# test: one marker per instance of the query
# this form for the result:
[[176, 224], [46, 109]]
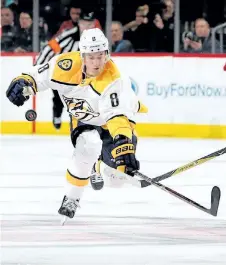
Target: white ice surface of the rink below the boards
[[114, 226]]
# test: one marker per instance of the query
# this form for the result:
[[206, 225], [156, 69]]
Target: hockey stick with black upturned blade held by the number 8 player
[[215, 195]]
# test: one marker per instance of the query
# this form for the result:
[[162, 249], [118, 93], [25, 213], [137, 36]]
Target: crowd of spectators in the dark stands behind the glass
[[152, 30]]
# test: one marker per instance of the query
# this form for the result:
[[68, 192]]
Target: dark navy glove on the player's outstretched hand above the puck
[[15, 91]]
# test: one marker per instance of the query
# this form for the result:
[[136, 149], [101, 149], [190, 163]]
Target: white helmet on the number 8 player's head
[[93, 40]]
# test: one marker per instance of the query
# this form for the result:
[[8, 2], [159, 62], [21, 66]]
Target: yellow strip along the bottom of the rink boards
[[143, 130]]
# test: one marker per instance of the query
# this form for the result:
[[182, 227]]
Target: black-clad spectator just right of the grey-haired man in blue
[[137, 31]]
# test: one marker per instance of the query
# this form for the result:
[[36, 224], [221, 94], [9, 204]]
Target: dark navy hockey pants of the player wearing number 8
[[107, 141]]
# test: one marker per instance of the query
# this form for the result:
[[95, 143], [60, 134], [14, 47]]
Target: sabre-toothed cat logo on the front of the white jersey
[[80, 109]]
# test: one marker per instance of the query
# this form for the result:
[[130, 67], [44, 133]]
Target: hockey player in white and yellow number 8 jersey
[[101, 105]]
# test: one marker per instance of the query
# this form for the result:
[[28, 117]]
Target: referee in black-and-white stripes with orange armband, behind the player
[[67, 41]]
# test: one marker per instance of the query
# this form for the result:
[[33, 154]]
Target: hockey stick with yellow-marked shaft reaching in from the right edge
[[181, 169]]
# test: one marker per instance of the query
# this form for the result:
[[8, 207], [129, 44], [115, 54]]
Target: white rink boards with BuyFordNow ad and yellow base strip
[[185, 96]]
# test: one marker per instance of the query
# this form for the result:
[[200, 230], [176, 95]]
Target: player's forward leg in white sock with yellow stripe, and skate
[[87, 143]]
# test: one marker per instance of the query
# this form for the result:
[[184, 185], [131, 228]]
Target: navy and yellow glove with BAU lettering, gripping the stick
[[124, 155]]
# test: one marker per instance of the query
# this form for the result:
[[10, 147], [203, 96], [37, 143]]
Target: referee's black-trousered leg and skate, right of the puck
[[57, 109]]
